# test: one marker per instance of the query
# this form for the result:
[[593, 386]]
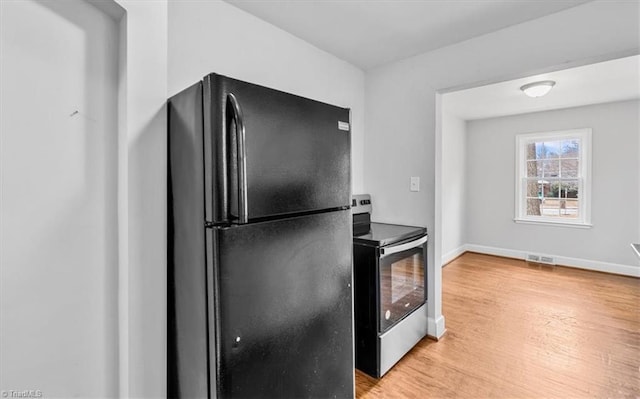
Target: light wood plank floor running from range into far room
[[516, 330]]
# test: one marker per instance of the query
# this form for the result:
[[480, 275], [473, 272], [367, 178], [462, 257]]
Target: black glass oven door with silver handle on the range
[[402, 280]]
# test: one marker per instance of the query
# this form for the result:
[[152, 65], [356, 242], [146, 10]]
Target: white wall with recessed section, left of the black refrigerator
[[84, 293]]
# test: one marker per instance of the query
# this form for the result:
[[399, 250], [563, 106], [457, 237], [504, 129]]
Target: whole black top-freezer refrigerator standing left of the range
[[259, 244]]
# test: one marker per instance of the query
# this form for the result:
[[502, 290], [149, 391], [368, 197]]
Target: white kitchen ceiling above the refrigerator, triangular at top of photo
[[368, 33]]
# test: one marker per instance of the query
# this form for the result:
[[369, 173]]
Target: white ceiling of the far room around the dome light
[[615, 80]]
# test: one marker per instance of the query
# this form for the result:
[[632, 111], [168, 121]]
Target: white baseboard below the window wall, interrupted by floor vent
[[625, 270]]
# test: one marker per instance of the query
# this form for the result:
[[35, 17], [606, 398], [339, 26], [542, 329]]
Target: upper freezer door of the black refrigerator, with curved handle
[[269, 153]]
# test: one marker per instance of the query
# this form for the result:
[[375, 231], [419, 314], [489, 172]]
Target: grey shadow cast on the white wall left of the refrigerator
[[148, 258]]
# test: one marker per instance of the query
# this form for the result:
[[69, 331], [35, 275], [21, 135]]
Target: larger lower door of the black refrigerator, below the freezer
[[282, 305]]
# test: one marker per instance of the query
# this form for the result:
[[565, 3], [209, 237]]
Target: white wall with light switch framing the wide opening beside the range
[[400, 99]]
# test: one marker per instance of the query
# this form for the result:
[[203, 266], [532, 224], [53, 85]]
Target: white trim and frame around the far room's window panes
[[585, 173]]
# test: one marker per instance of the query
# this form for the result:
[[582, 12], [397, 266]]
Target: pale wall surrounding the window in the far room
[[615, 178]]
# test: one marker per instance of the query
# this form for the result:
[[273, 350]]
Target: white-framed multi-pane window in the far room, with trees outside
[[553, 177]]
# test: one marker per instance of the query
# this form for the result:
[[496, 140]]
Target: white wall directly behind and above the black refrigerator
[[214, 36]]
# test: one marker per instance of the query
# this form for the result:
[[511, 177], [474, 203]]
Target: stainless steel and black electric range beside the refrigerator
[[390, 289]]
